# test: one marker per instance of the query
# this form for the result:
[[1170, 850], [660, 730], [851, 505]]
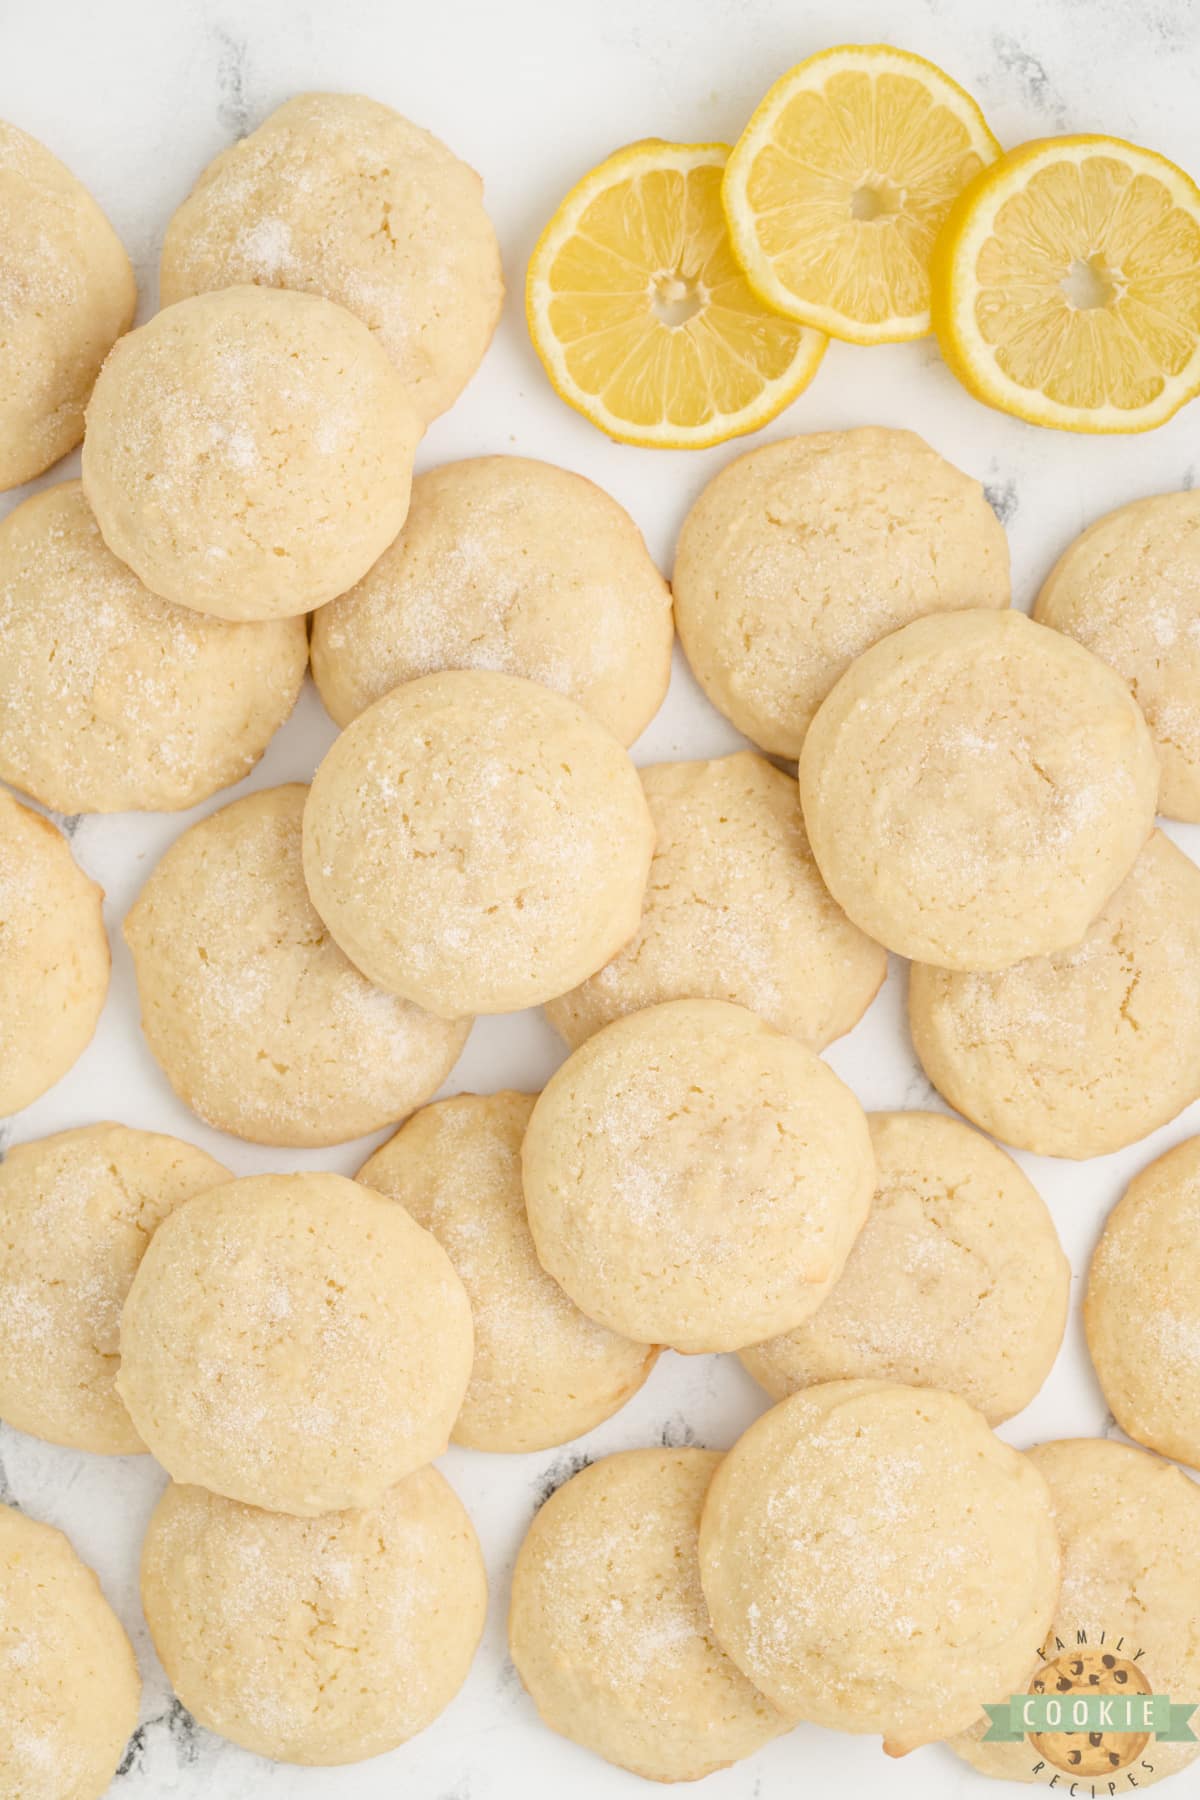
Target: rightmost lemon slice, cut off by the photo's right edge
[[1068, 285]]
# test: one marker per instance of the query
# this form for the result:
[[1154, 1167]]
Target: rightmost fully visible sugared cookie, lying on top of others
[[976, 787]]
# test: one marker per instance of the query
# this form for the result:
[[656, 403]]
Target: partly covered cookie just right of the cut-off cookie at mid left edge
[[256, 1018]]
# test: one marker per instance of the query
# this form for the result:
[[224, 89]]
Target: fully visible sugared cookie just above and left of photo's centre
[[478, 843]]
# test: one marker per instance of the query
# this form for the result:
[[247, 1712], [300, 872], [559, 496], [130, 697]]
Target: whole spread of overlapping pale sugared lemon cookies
[[978, 795]]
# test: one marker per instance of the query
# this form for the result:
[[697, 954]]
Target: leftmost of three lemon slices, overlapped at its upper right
[[641, 316]]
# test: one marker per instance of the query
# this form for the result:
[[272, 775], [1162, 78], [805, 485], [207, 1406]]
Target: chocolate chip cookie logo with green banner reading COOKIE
[[1091, 1714]]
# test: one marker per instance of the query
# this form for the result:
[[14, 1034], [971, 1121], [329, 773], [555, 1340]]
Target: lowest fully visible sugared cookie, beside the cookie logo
[[877, 1561]]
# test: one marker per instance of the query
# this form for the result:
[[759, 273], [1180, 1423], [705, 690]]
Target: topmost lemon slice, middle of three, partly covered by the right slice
[[841, 183]]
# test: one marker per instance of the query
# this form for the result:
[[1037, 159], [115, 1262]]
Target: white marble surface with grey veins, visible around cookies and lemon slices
[[136, 96]]
